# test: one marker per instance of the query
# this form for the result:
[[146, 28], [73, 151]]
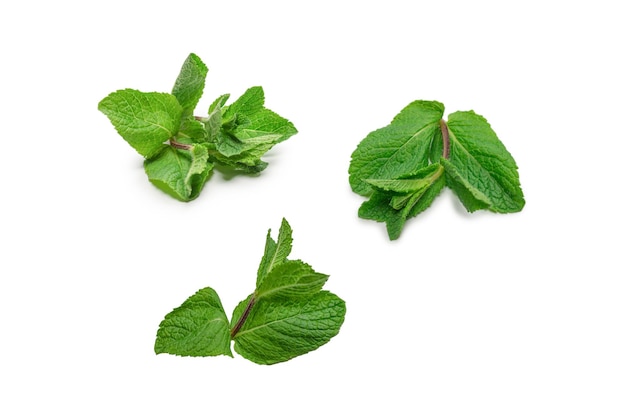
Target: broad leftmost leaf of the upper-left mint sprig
[[144, 120]]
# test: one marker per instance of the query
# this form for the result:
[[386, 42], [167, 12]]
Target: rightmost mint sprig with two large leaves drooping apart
[[403, 166]]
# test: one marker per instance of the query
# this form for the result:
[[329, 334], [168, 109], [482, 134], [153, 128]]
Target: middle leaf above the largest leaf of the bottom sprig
[[291, 279]]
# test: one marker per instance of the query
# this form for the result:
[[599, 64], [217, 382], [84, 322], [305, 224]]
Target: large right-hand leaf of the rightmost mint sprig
[[484, 171]]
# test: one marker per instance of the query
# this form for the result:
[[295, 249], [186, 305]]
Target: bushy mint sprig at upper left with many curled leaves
[[181, 149]]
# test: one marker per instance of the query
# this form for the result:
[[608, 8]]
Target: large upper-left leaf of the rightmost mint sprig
[[401, 147]]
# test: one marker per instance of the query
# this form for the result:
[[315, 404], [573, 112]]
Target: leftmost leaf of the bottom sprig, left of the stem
[[199, 327]]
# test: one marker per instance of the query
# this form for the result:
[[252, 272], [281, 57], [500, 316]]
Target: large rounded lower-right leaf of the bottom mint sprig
[[277, 330]]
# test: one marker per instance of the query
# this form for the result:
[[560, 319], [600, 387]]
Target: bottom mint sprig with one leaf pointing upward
[[287, 315]]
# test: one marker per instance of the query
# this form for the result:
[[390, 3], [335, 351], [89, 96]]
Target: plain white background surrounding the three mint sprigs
[[479, 315]]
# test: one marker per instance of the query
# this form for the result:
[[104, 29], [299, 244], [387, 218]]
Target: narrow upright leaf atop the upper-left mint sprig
[[189, 85]]
